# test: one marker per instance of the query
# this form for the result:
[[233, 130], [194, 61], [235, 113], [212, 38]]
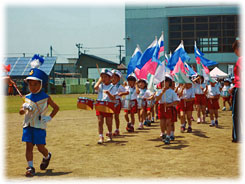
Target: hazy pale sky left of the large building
[[33, 29]]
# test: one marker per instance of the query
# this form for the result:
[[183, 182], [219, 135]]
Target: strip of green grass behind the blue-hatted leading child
[[65, 102]]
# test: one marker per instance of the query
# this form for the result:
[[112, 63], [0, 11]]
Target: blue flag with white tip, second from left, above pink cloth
[[147, 55]]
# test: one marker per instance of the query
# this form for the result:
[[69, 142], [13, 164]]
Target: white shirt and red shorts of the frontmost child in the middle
[[168, 97]]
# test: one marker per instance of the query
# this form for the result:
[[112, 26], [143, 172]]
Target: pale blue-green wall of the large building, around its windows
[[143, 23]]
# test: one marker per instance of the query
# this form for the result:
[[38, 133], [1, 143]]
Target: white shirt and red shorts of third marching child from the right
[[200, 97]]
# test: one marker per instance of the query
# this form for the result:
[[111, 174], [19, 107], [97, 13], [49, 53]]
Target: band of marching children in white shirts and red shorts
[[169, 101]]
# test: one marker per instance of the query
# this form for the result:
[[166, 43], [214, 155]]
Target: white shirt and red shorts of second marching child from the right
[[213, 91]]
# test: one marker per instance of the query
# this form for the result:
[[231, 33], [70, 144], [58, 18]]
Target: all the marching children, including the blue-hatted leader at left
[[168, 101]]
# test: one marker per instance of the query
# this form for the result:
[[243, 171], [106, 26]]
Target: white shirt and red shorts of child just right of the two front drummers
[[130, 101]]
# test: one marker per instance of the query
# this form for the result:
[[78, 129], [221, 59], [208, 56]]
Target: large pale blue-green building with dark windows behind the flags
[[214, 28]]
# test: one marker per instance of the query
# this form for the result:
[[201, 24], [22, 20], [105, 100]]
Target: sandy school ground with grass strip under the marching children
[[72, 136]]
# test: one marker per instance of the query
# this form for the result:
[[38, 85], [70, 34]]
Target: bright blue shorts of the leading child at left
[[34, 135]]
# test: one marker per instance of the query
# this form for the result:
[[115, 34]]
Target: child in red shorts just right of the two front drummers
[[130, 104]]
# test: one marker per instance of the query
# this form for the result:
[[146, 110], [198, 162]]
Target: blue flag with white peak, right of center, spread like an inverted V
[[178, 53]]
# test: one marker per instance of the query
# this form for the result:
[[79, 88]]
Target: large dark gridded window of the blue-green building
[[212, 33]]
